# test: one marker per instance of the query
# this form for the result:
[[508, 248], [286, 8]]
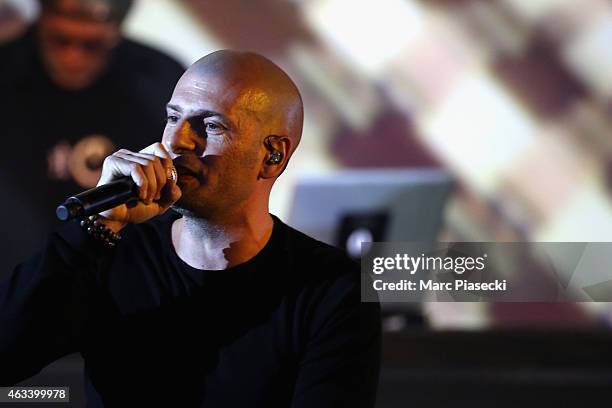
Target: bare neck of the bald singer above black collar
[[208, 245]]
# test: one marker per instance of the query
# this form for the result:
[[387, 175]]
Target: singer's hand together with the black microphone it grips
[[133, 187]]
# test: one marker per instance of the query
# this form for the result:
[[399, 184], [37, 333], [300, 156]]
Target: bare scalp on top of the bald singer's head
[[271, 95]]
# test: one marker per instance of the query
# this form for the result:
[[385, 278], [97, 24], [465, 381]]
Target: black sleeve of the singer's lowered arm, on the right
[[341, 363]]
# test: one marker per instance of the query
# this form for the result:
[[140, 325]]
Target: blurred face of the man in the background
[[75, 51]]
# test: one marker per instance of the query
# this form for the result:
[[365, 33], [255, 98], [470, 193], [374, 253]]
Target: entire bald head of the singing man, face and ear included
[[234, 120]]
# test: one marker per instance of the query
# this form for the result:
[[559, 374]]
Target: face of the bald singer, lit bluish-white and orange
[[215, 135]]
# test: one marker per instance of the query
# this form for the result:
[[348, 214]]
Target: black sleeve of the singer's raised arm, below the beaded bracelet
[[46, 301]]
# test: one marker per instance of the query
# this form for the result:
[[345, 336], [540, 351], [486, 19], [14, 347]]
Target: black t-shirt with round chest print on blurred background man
[[54, 140]]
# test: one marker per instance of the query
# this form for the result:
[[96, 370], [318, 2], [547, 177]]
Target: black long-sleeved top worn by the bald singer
[[285, 328]]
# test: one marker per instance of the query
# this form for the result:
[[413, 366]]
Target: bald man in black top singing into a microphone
[[206, 300]]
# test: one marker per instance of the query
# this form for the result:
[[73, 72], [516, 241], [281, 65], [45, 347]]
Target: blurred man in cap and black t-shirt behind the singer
[[72, 90]]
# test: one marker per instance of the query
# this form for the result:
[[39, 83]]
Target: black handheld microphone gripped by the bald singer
[[121, 191]]
